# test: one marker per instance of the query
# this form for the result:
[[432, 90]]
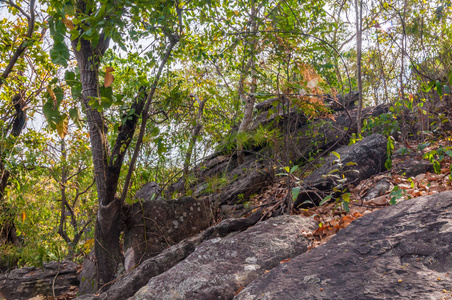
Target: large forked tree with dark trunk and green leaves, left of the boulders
[[92, 26]]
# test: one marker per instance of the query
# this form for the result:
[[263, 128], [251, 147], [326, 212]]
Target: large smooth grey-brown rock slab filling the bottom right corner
[[400, 252]]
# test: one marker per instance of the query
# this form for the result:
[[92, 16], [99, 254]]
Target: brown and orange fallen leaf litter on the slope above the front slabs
[[332, 218]]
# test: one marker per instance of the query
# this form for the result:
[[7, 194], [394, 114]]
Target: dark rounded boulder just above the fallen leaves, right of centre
[[359, 161]]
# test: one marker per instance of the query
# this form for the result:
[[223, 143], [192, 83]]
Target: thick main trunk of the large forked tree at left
[[107, 249]]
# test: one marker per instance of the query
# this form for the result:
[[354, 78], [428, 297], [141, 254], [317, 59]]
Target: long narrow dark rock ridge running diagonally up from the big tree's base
[[127, 285]]
